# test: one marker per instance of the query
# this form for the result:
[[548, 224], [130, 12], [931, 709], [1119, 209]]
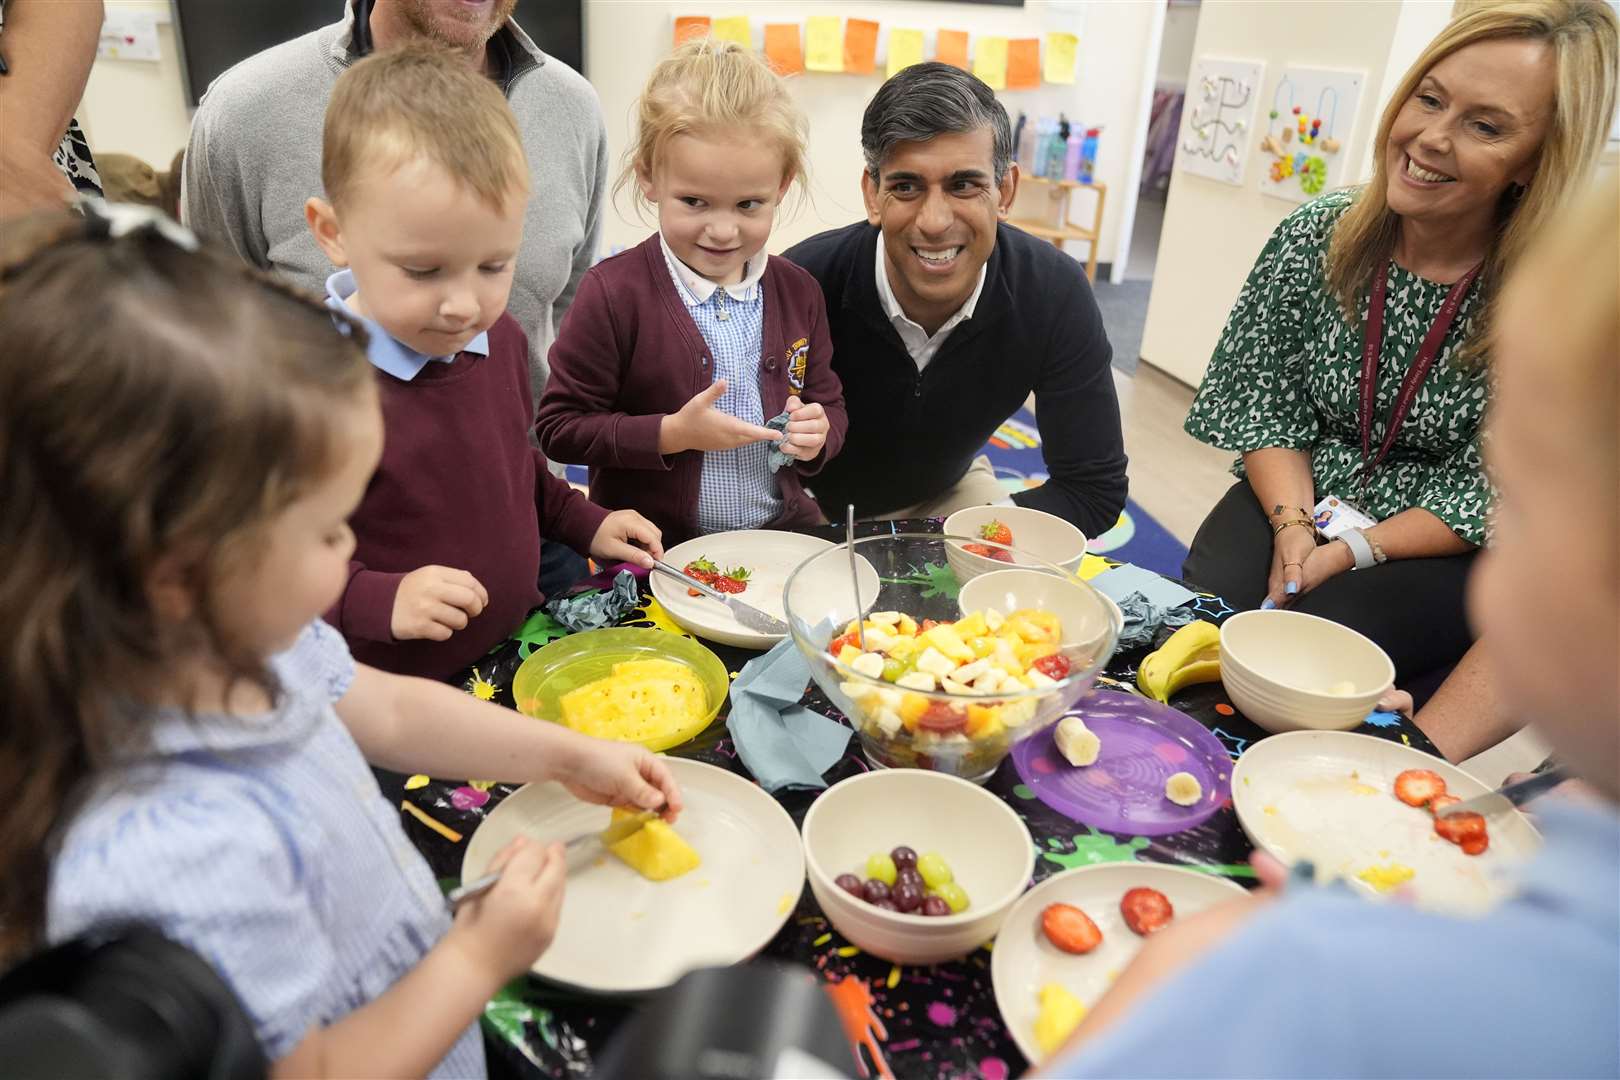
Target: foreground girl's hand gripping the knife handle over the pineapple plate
[[509, 927]]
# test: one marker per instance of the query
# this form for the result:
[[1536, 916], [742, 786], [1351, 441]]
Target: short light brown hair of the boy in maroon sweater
[[422, 101]]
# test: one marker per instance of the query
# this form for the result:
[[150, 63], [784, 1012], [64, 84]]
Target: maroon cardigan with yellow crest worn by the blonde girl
[[629, 354]]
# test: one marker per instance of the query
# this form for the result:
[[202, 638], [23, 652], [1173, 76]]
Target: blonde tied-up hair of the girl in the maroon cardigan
[[710, 87]]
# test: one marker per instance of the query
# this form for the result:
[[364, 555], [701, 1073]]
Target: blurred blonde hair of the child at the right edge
[[1574, 271]]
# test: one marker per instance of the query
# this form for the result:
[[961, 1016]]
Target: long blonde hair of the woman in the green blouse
[[1584, 40]]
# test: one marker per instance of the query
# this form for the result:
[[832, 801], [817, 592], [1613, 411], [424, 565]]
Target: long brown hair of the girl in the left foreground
[[156, 404]]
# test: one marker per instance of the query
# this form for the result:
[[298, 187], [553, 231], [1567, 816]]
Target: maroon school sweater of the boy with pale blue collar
[[459, 487]]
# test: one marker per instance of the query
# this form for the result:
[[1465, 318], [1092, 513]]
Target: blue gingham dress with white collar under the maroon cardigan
[[738, 490]]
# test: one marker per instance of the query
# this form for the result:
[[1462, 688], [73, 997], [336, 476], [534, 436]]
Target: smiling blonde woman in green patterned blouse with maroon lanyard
[[1490, 134]]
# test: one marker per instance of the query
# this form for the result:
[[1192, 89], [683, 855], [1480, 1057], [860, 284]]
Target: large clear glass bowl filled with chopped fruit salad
[[952, 676]]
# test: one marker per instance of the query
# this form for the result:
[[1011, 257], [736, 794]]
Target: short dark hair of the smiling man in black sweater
[[932, 100]]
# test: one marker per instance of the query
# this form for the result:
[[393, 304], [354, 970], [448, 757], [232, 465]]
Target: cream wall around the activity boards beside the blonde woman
[[1213, 231]]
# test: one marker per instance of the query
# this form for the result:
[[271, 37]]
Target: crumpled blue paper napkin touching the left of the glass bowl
[[782, 742]]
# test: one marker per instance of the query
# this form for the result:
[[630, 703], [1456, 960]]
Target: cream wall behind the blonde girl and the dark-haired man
[[625, 38]]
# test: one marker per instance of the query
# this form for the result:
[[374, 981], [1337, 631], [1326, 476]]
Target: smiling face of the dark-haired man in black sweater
[[939, 203]]
